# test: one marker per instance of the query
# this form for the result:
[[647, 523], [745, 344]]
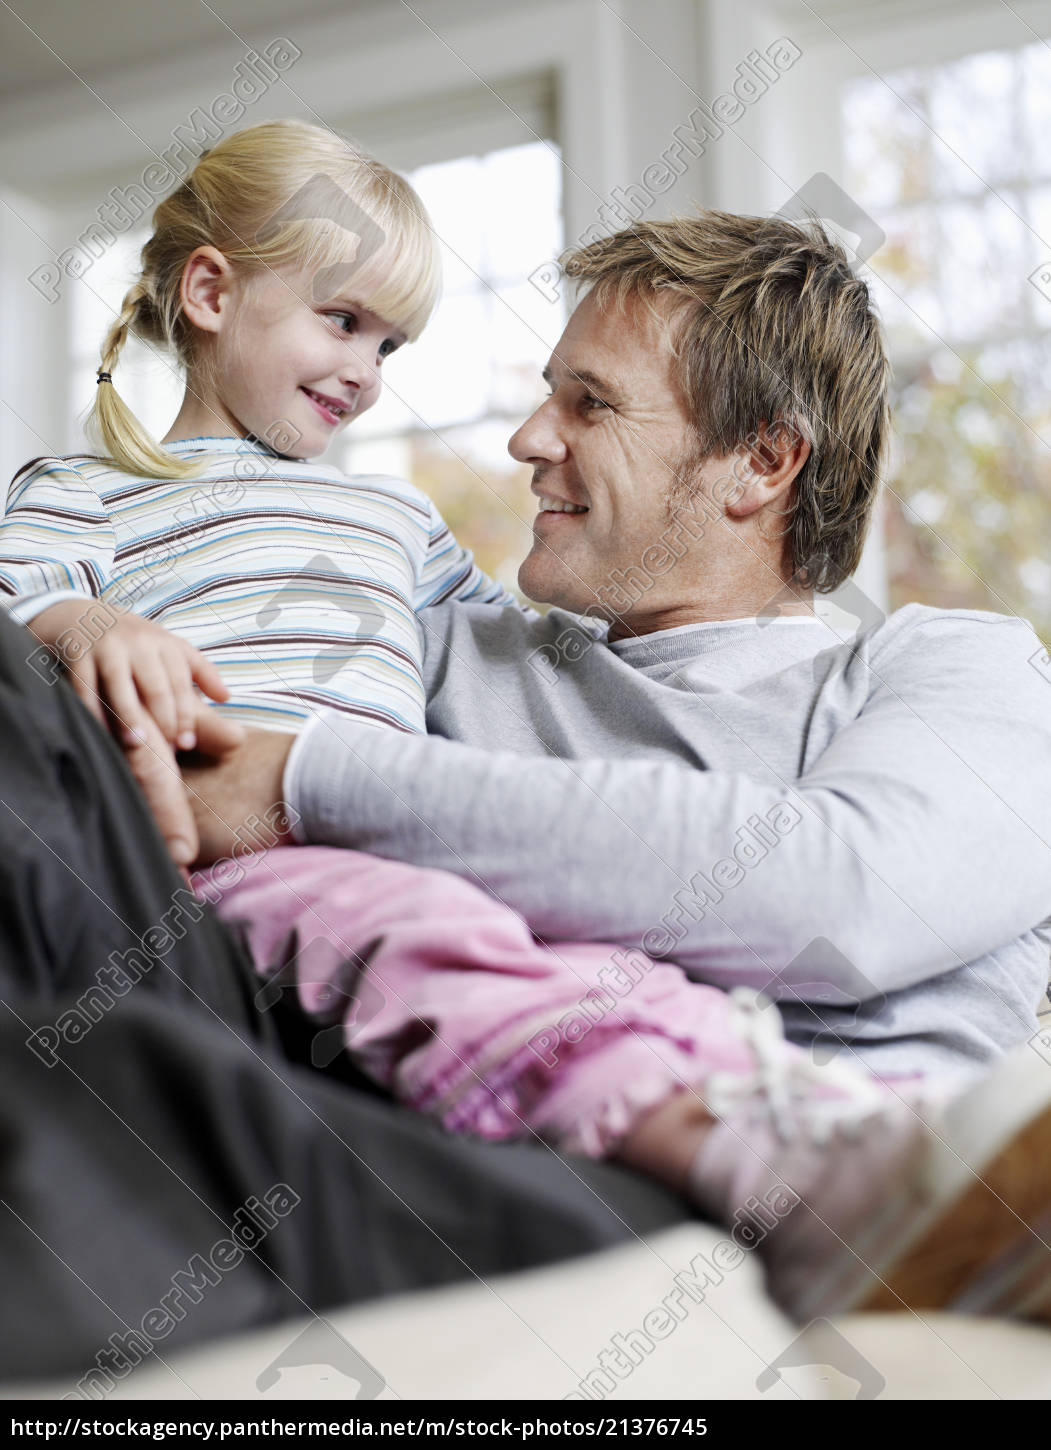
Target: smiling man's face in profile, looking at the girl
[[614, 442]]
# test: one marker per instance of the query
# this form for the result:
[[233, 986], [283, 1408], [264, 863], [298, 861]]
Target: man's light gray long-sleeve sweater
[[860, 829]]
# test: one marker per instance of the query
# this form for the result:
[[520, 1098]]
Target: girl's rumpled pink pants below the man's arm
[[446, 998]]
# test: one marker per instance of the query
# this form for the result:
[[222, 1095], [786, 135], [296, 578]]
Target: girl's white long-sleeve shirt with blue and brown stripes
[[298, 582]]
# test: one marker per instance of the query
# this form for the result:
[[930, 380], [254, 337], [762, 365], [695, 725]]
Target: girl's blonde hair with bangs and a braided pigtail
[[281, 195]]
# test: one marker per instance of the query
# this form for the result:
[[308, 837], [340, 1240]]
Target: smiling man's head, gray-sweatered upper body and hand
[[859, 829]]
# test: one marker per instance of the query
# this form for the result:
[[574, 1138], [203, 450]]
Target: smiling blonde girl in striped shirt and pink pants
[[282, 275]]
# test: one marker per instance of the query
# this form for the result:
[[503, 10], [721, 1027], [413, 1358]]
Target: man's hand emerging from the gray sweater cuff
[[237, 797]]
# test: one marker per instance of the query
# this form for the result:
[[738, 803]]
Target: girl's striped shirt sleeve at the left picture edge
[[56, 540]]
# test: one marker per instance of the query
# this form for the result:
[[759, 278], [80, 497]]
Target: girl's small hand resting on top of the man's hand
[[130, 671]]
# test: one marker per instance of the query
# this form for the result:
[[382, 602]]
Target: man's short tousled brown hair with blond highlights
[[770, 327]]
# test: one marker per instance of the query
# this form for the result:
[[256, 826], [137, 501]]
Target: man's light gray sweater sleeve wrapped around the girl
[[915, 842]]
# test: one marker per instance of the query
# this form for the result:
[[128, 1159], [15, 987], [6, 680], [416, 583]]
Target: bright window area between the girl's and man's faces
[[453, 399]]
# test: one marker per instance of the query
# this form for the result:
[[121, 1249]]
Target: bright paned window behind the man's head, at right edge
[[956, 169]]
